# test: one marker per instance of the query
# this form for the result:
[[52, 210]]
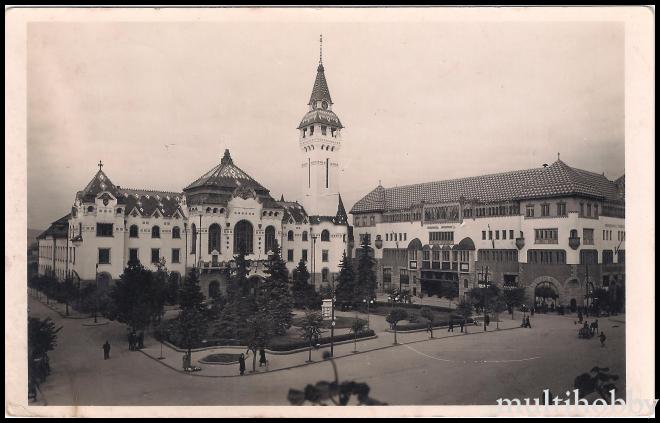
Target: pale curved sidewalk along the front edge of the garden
[[173, 359]]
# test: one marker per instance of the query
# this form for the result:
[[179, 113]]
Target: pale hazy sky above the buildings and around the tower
[[159, 103]]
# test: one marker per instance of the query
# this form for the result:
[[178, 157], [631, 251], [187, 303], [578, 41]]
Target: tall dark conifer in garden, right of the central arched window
[[274, 299]]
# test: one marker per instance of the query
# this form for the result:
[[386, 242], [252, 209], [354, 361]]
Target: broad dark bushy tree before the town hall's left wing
[[132, 297]]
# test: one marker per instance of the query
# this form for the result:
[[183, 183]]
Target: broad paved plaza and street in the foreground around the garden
[[512, 362]]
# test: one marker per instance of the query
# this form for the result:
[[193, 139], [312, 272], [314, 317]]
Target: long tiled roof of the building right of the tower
[[556, 180]]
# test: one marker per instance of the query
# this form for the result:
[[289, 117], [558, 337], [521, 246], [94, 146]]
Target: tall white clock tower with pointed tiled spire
[[320, 144]]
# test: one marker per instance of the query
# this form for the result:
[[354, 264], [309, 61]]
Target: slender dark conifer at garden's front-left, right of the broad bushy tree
[[191, 324]]
